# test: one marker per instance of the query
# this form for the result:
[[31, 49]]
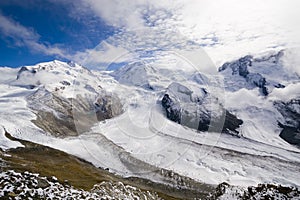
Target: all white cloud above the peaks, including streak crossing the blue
[[147, 30]]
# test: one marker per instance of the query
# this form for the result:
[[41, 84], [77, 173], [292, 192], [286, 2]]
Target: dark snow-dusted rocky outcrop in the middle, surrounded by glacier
[[183, 107]]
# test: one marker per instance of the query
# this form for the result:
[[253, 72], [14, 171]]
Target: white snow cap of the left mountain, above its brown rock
[[65, 79]]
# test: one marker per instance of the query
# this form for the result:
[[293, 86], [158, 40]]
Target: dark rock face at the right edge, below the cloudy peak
[[291, 126]]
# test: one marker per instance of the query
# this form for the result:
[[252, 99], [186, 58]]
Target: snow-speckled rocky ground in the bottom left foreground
[[28, 185]]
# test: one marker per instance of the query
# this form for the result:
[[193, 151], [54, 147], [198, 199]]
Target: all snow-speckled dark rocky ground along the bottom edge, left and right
[[28, 185]]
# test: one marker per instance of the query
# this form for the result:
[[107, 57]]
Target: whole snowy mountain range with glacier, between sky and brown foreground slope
[[240, 126]]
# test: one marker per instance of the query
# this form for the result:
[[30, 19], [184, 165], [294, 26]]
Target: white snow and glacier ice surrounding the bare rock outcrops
[[142, 139]]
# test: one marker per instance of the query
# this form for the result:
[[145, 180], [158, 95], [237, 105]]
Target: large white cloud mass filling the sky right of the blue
[[224, 29]]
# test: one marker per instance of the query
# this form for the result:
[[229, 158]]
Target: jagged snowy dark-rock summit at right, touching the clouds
[[266, 73]]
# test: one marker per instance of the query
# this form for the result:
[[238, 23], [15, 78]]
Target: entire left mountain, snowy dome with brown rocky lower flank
[[60, 93]]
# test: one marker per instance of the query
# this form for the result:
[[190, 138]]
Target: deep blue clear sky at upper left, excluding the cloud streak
[[53, 25]]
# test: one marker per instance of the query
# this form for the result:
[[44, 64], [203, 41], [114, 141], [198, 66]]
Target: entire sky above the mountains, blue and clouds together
[[110, 33]]
